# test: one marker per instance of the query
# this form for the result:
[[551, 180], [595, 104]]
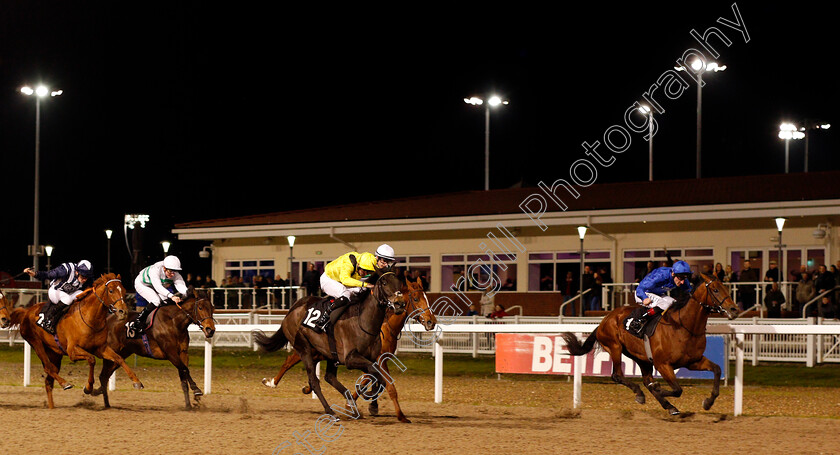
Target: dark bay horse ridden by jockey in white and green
[[167, 339]]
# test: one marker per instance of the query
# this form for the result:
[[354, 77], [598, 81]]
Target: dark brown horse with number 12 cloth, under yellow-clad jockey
[[356, 334]]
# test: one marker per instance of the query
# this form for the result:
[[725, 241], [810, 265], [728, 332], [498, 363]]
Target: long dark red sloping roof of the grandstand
[[624, 195]]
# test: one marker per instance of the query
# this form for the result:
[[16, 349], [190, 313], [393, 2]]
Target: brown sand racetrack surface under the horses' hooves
[[241, 416]]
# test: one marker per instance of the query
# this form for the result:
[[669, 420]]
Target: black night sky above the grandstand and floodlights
[[187, 111]]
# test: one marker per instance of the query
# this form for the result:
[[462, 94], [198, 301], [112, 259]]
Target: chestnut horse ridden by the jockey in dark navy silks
[[80, 334]]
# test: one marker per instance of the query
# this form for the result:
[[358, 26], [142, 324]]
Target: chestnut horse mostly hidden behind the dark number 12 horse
[[417, 308]]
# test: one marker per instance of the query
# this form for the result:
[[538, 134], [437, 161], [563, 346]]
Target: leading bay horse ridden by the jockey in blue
[[679, 341]]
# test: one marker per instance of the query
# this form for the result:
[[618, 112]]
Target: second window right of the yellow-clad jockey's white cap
[[484, 273]]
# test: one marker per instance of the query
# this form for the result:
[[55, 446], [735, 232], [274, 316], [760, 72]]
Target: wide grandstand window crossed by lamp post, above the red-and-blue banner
[[560, 271]]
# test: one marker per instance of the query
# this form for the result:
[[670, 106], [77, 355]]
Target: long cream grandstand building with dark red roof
[[523, 237]]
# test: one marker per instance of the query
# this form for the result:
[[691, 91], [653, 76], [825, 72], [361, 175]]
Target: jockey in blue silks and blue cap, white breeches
[[652, 291]]
